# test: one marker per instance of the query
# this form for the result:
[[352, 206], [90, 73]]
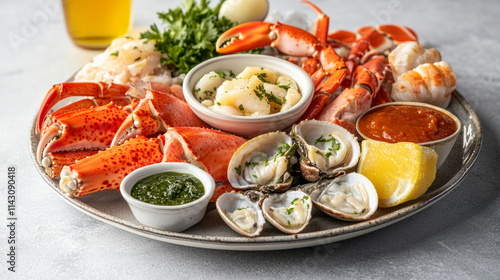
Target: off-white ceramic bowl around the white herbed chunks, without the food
[[244, 125]]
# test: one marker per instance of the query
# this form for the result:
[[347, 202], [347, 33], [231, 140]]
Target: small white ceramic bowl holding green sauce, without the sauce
[[176, 217]]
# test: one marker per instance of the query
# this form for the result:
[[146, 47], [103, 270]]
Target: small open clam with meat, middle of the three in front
[[289, 212]]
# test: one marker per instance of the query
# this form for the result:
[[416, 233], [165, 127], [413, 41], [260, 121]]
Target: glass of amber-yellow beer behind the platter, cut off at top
[[93, 24]]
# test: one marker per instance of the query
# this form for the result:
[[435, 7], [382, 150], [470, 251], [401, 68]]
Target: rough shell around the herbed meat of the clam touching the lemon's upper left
[[312, 129]]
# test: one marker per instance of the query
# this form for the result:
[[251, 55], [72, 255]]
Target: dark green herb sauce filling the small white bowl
[[168, 188]]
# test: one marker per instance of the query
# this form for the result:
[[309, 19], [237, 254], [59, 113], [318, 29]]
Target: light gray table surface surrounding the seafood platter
[[456, 238]]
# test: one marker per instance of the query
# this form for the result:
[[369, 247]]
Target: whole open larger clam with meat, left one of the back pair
[[263, 163]]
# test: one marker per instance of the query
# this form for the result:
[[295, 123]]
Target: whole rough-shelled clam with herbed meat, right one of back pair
[[326, 149]]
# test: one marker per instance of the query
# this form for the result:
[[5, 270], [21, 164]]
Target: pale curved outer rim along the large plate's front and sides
[[282, 241]]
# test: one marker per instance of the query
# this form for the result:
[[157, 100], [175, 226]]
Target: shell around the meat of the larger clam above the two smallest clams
[[266, 144]]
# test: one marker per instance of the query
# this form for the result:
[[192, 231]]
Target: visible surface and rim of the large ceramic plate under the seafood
[[108, 206]]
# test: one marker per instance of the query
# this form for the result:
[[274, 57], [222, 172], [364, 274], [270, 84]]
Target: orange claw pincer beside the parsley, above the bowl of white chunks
[[245, 37]]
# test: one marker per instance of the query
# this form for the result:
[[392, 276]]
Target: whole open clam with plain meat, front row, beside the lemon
[[350, 198]]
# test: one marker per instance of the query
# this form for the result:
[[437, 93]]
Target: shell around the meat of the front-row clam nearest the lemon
[[349, 179]]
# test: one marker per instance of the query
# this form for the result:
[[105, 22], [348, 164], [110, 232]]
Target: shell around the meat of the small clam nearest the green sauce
[[230, 202]]
